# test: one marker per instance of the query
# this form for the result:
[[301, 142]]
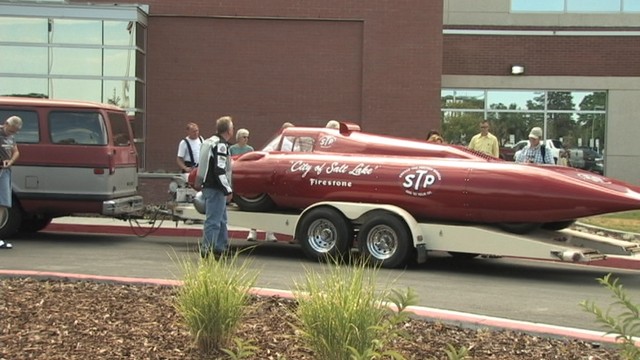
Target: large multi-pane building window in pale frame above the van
[[93, 53]]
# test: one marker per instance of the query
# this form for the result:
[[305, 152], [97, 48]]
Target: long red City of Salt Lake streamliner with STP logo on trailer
[[433, 182]]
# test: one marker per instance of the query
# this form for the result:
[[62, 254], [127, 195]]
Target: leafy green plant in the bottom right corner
[[625, 323]]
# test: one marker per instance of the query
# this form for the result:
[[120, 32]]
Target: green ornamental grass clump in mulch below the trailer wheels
[[341, 313]]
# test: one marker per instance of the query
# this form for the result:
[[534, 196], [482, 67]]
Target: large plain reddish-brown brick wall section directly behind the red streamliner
[[376, 63]]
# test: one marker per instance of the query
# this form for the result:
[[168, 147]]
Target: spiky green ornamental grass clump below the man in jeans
[[213, 299]]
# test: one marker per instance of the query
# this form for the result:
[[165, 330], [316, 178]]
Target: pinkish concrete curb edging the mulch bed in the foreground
[[446, 316]]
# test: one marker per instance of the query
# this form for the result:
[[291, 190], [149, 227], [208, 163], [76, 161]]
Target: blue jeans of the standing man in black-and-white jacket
[[214, 234]]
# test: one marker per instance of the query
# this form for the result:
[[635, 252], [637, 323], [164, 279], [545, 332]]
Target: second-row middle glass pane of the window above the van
[[73, 61]]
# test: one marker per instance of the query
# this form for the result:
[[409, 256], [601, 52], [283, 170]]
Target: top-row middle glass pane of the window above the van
[[64, 31]]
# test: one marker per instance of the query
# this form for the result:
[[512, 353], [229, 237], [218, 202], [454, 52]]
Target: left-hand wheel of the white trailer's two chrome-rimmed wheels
[[324, 234]]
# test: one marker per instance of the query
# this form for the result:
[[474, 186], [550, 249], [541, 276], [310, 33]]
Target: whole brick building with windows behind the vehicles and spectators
[[394, 67]]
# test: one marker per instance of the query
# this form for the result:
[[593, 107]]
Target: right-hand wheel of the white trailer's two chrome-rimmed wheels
[[385, 240]]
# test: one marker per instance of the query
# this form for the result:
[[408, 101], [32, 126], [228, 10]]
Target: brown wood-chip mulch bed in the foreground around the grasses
[[57, 319]]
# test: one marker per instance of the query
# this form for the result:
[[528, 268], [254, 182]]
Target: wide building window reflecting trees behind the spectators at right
[[576, 118]]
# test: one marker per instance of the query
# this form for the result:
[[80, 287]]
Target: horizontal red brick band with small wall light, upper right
[[542, 55]]
